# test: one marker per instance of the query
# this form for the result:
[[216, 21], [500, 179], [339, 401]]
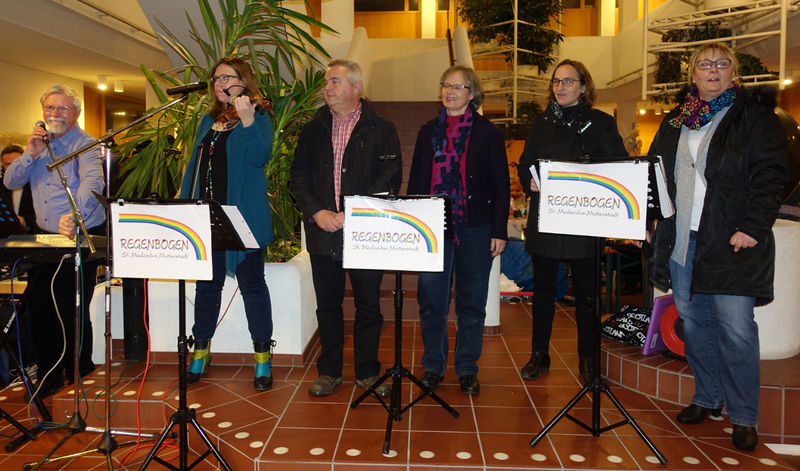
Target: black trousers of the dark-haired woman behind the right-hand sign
[[545, 278]]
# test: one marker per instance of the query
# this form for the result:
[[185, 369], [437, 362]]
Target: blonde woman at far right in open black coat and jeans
[[725, 160]]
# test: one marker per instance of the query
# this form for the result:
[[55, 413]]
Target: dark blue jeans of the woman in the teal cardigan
[[255, 294]]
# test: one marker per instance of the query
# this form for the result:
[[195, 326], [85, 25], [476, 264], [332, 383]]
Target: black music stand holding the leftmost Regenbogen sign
[[224, 237]]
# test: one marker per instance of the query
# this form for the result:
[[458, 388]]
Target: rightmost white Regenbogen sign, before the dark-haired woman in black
[[594, 199]]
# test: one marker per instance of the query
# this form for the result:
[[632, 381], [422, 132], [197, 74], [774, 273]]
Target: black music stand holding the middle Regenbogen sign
[[397, 371]]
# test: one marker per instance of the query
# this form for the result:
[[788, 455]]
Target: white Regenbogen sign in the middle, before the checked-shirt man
[[403, 234]]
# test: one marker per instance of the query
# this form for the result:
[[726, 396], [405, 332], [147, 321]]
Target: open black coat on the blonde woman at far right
[[745, 173]]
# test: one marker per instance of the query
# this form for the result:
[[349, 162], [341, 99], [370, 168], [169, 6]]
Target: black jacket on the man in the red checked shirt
[[371, 164]]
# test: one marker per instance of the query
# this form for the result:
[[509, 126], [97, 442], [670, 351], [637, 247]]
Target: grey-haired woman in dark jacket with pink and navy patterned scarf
[[462, 155]]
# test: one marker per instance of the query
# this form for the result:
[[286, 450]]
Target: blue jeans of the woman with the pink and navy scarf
[[469, 261]]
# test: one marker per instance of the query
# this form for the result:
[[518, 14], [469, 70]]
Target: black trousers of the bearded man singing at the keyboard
[[48, 338]]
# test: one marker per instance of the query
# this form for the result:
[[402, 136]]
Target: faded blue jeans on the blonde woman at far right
[[721, 345]]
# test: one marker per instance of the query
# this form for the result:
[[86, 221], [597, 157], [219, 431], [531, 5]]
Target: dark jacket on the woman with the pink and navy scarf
[[488, 193]]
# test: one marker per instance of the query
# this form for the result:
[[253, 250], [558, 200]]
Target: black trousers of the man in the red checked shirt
[[328, 276]]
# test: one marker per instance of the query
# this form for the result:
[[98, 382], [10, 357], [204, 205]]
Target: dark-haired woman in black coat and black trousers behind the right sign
[[569, 129]]
